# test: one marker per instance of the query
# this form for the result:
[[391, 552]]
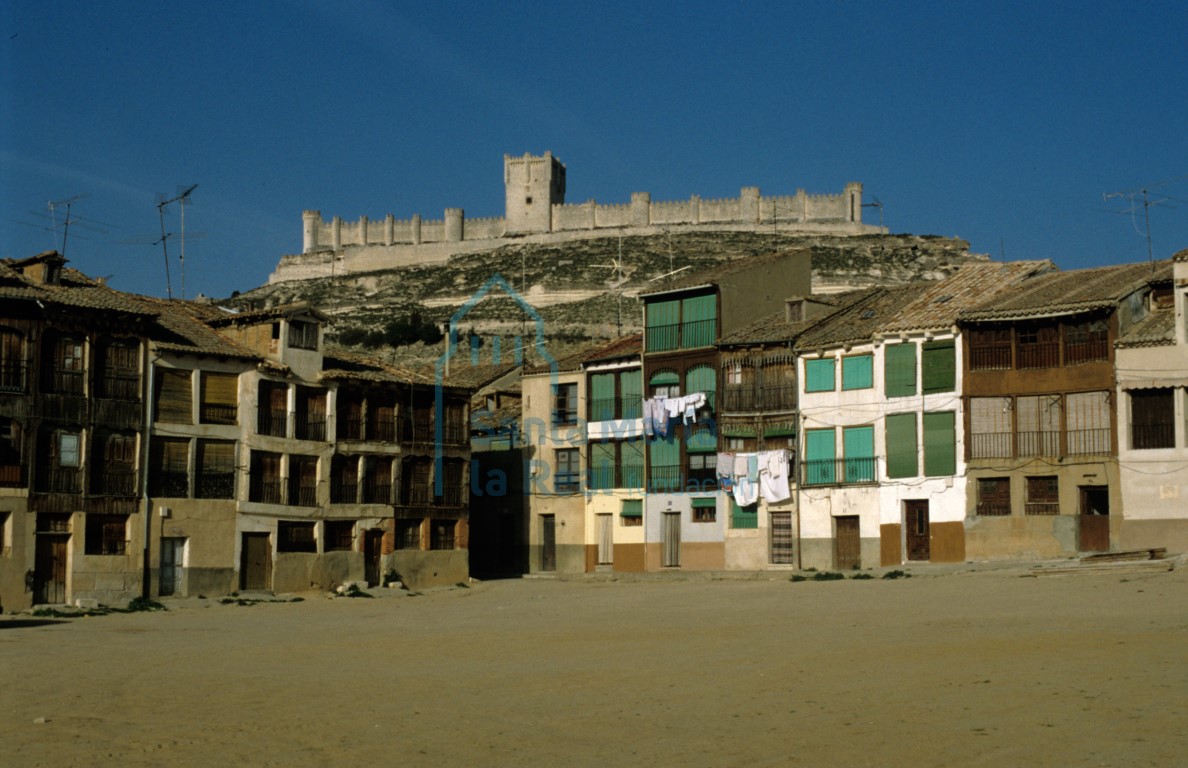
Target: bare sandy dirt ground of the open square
[[951, 668]]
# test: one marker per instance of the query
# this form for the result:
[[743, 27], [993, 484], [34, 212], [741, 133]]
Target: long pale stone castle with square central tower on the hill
[[536, 212]]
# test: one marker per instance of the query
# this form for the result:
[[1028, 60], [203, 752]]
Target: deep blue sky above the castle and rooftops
[[1003, 124]]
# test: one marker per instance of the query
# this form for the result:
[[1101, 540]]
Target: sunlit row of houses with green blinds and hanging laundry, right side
[[1010, 411]]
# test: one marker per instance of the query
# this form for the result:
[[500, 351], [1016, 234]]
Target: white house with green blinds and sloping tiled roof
[[882, 471]]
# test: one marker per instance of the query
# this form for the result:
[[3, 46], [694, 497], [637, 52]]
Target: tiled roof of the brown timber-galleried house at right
[[1057, 294]]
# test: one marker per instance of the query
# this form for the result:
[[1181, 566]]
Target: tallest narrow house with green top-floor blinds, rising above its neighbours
[[686, 517]]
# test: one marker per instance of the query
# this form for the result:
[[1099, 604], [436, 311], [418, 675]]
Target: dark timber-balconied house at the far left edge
[[73, 357]]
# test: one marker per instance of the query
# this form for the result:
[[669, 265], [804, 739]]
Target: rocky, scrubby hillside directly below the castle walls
[[574, 285]]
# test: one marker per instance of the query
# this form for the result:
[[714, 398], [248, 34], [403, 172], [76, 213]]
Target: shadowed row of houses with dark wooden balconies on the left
[[154, 448]]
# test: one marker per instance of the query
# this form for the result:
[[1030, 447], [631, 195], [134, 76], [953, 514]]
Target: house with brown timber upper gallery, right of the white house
[[1042, 410]]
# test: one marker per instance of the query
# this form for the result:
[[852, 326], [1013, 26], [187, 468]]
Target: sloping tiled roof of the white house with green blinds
[[938, 305]]
